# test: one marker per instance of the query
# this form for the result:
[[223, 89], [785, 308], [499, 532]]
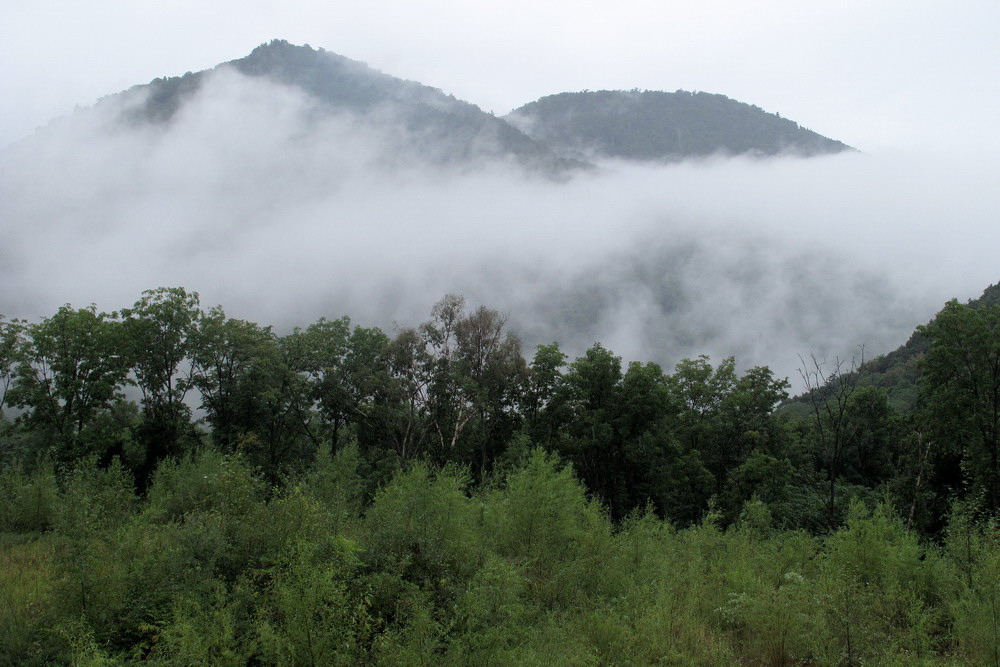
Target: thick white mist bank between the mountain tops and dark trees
[[283, 212]]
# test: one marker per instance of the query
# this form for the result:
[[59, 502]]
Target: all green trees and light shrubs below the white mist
[[184, 487]]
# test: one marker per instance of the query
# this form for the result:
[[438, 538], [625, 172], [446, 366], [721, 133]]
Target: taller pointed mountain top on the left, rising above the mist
[[440, 127]]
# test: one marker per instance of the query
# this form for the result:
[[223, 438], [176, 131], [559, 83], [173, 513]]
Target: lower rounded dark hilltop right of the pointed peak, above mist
[[653, 125]]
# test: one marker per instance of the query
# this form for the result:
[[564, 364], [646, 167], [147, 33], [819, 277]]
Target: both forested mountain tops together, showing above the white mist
[[555, 134]]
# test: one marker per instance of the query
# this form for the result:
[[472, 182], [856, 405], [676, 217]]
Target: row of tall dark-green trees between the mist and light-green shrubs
[[164, 378]]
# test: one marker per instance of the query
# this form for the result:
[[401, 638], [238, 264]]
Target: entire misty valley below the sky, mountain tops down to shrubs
[[619, 377]]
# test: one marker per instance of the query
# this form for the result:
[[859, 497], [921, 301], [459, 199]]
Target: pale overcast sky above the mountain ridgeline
[[877, 75]]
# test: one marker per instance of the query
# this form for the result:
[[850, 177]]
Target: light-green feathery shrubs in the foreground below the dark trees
[[213, 567]]
